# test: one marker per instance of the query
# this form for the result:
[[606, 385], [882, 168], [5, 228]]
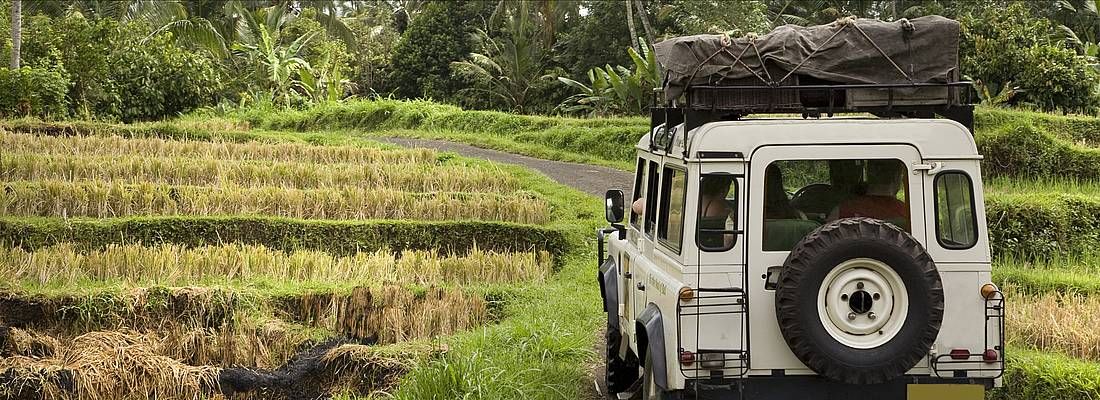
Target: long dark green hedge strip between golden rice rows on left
[[333, 237]]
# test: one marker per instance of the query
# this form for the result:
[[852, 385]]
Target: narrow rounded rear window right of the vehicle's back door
[[956, 223]]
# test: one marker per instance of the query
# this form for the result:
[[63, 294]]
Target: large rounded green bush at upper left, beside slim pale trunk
[[116, 73]]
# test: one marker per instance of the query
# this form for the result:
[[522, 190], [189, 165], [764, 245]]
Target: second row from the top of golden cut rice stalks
[[190, 172]]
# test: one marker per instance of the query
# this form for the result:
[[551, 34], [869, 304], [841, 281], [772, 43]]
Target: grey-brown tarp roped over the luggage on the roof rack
[[926, 49]]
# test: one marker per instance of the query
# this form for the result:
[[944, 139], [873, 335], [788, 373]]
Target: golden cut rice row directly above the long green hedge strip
[[54, 198]]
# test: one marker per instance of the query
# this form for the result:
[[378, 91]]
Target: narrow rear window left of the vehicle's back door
[[717, 226]]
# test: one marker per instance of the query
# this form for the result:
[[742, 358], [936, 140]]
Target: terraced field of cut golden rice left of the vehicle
[[139, 268]]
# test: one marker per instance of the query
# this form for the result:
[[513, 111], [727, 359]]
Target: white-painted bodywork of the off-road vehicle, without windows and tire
[[751, 146]]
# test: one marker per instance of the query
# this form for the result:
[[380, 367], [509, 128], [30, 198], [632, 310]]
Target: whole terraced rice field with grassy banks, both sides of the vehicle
[[210, 251]]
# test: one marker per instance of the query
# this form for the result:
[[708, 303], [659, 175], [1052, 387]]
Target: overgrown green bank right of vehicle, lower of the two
[[1039, 226]]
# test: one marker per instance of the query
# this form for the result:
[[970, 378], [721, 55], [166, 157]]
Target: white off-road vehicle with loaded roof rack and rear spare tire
[[810, 258]]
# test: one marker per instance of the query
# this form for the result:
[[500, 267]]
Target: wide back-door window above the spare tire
[[799, 196]]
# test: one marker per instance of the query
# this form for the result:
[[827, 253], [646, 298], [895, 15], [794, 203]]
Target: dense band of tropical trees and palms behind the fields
[[128, 60]]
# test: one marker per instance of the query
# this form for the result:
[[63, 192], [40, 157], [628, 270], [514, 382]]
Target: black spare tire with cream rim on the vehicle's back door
[[860, 302]]
